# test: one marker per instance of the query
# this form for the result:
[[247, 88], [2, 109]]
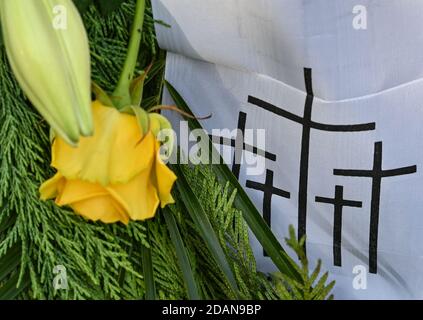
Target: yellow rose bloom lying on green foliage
[[115, 175]]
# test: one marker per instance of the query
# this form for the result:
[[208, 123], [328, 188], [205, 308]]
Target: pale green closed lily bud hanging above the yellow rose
[[48, 51]]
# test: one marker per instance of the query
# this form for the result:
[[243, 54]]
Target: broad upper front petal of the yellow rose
[[114, 154]]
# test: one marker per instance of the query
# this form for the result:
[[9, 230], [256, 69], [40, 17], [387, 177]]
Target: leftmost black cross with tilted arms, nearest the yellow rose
[[239, 145]]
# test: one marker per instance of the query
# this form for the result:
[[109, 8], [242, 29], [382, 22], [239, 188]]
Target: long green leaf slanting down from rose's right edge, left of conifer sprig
[[201, 220]]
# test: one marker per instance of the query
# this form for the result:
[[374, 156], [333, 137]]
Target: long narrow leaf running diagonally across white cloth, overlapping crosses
[[253, 218]]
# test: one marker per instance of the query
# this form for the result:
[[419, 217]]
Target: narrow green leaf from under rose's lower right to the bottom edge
[[182, 254]]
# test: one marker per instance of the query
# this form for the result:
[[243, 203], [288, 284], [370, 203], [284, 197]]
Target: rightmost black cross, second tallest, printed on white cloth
[[376, 174]]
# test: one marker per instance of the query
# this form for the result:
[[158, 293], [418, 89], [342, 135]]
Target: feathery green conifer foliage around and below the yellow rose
[[106, 261]]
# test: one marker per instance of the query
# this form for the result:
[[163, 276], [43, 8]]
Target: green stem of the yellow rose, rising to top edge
[[121, 96]]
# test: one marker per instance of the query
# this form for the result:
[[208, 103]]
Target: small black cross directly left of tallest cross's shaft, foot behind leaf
[[268, 191]]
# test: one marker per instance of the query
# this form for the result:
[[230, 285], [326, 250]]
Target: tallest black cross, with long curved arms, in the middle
[[307, 124]]
